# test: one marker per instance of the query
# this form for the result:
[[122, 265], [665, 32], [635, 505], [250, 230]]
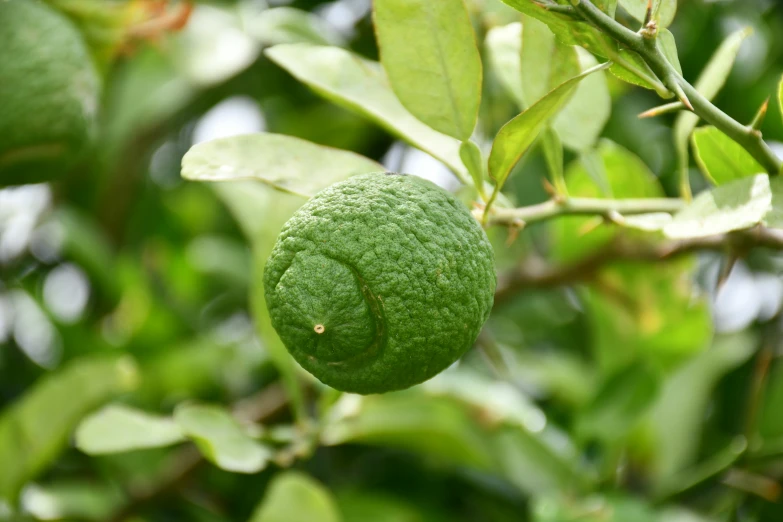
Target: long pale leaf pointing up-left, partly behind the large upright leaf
[[361, 86]]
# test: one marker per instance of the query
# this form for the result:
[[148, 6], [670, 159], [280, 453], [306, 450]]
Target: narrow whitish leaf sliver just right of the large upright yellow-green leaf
[[504, 44]]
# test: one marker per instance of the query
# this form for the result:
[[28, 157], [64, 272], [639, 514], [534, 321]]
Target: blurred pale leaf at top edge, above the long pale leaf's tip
[[285, 25]]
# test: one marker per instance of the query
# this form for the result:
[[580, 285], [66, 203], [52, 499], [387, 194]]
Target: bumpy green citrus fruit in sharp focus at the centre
[[397, 273]]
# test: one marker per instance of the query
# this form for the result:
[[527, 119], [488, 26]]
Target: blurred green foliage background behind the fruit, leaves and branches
[[123, 283]]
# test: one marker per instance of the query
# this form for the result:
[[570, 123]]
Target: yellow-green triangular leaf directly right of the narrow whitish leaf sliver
[[546, 62]]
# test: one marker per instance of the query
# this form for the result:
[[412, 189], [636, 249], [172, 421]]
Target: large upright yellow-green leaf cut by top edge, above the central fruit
[[429, 52]]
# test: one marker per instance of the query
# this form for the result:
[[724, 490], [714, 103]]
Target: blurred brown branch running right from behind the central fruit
[[539, 273]]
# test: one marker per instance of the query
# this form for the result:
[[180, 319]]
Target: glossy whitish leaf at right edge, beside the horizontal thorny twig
[[737, 205]]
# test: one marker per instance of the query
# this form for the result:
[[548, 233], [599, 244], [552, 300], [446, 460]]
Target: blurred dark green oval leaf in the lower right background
[[622, 399]]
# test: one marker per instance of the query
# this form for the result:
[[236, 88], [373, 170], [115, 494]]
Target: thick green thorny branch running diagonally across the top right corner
[[749, 138]]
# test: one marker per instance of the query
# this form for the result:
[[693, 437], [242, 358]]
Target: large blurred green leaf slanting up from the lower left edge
[[35, 429]]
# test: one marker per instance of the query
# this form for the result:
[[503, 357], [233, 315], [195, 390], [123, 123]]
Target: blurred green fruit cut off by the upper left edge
[[49, 93]]
